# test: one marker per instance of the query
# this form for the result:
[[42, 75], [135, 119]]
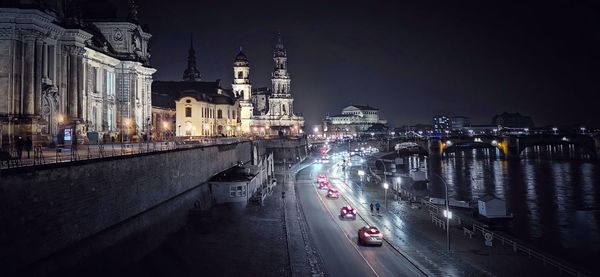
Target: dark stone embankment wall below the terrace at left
[[59, 214]]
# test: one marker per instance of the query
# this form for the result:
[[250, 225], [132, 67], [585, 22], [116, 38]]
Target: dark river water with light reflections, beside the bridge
[[553, 192]]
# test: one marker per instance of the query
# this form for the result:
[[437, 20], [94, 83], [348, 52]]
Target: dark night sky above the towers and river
[[411, 59]]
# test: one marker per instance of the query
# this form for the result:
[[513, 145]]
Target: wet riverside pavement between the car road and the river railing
[[410, 228]]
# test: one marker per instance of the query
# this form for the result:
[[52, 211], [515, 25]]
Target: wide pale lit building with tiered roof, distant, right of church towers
[[354, 120]]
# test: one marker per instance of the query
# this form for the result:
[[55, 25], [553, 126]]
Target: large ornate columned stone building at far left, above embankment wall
[[62, 73]]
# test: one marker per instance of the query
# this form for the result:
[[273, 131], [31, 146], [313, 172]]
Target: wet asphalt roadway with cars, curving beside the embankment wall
[[336, 239]]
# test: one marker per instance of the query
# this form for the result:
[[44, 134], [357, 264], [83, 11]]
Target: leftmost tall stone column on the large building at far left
[[28, 77]]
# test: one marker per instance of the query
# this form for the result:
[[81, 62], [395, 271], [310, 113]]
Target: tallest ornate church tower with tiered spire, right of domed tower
[[281, 101]]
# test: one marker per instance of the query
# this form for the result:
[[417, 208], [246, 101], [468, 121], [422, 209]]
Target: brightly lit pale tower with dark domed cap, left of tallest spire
[[242, 89]]
